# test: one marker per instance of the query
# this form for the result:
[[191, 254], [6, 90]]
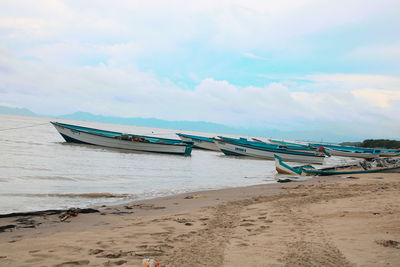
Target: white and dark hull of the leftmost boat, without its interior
[[76, 136]]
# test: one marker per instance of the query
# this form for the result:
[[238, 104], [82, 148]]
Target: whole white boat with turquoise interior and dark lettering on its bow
[[237, 147]]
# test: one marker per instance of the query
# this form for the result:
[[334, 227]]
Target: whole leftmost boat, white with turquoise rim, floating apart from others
[[85, 135]]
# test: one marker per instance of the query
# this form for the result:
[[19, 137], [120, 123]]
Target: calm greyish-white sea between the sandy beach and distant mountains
[[40, 171]]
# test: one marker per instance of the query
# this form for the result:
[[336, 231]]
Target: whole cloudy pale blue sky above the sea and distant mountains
[[289, 65]]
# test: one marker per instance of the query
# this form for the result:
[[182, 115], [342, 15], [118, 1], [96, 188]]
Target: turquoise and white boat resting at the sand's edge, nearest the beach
[[377, 166]]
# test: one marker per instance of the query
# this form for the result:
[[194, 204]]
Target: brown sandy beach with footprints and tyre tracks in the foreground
[[333, 221]]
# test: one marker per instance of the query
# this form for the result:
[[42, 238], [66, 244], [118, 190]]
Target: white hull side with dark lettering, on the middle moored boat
[[238, 150]]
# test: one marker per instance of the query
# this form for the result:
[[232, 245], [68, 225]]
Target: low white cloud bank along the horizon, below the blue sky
[[128, 92]]
